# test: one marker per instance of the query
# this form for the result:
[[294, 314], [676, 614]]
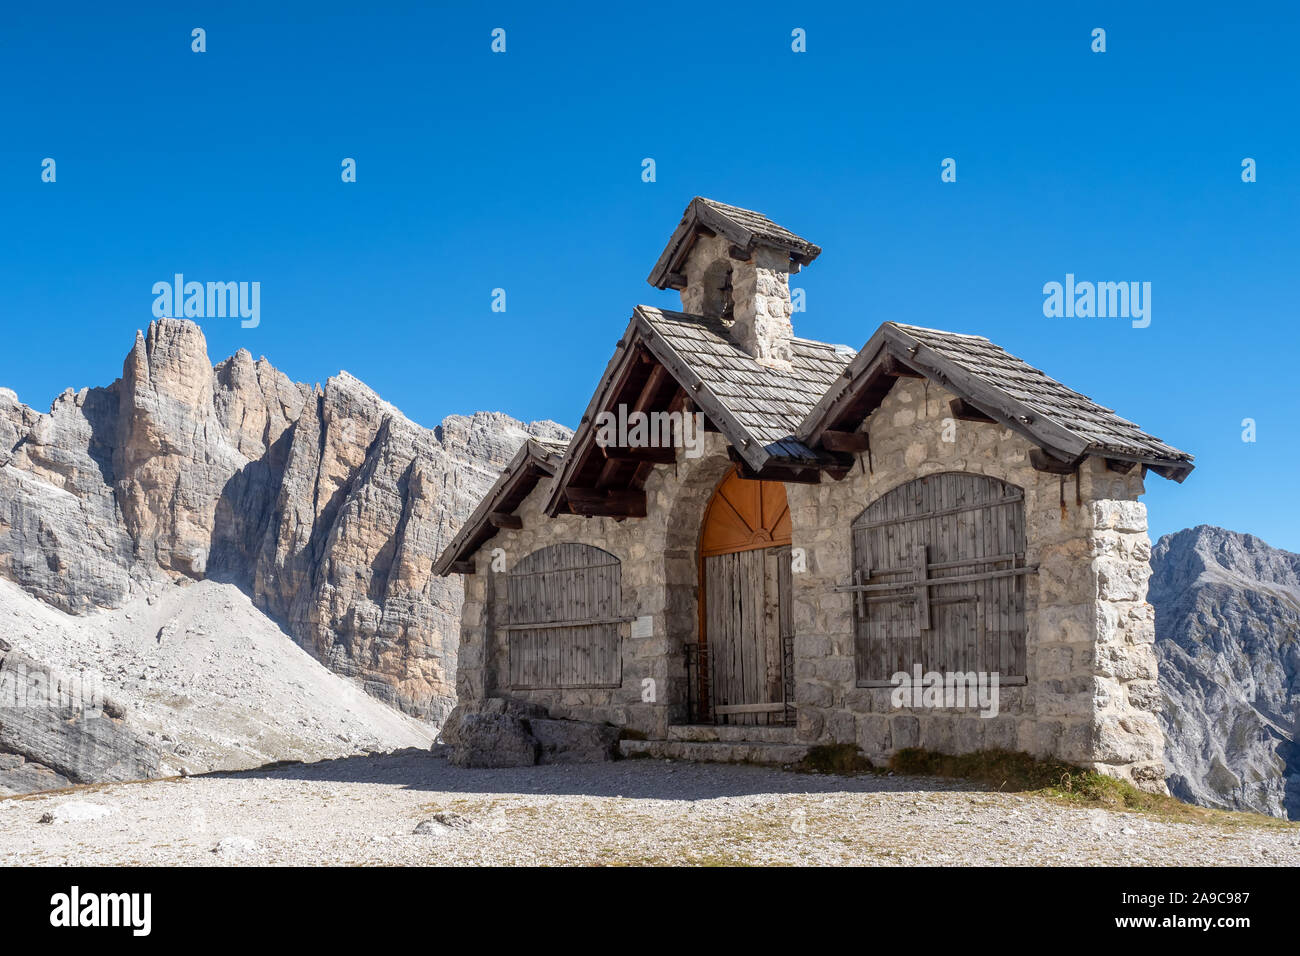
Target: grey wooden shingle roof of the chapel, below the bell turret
[[794, 425]]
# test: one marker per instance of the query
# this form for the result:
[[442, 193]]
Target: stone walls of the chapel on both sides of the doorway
[[1091, 674]]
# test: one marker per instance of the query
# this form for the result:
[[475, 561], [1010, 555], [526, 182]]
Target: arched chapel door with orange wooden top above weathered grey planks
[[746, 609]]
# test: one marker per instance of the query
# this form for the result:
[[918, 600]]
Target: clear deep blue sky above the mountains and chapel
[[523, 171]]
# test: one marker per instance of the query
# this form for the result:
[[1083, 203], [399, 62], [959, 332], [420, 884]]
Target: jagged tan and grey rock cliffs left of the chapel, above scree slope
[[326, 505]]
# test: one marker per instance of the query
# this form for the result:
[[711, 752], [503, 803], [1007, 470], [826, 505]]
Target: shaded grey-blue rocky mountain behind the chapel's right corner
[[1228, 638]]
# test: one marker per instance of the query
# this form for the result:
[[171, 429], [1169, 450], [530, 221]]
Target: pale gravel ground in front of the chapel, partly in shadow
[[413, 808]]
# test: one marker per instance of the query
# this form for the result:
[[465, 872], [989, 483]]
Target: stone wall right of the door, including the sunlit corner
[[1091, 668]]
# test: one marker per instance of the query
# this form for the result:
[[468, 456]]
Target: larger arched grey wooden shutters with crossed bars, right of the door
[[939, 579]]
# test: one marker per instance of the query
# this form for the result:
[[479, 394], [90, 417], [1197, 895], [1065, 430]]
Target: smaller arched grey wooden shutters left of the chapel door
[[565, 620]]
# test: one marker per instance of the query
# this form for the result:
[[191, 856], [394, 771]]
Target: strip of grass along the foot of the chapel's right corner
[[1020, 773]]
